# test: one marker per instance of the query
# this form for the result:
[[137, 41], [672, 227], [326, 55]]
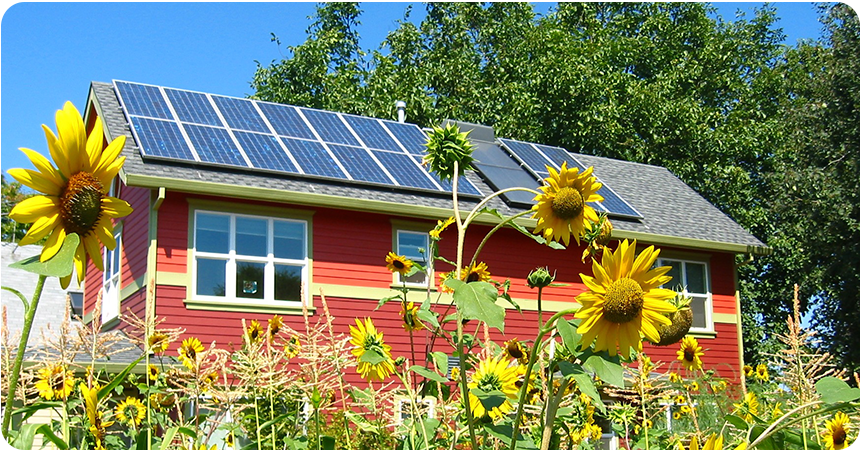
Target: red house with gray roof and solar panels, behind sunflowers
[[245, 209]]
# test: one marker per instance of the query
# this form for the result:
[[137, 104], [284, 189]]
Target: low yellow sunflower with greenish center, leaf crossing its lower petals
[[494, 374]]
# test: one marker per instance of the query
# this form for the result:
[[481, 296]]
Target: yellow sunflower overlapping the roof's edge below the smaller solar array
[[563, 207]]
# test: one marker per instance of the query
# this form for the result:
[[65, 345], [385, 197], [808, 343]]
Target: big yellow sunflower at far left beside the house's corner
[[74, 192]]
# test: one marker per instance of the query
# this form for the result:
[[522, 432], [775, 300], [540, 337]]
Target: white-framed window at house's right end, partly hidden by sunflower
[[691, 278]]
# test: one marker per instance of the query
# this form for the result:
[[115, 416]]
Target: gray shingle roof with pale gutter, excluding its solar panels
[[672, 212]]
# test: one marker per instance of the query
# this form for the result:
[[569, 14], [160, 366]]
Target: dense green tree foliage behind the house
[[723, 105]]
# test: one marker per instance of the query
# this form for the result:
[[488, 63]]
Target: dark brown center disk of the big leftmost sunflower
[[81, 203]]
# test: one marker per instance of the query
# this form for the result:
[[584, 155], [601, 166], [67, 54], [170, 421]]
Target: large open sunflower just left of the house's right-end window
[[624, 299]]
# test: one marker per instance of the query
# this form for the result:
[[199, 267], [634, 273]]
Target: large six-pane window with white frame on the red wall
[[242, 257]]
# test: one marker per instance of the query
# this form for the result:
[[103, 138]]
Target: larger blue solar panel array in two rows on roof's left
[[227, 131]]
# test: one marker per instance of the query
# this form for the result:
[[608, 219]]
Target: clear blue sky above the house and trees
[[50, 52]]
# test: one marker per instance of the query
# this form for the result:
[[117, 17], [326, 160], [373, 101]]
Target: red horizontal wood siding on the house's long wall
[[349, 249]]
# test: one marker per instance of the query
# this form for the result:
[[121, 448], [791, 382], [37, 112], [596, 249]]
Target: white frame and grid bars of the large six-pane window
[[232, 258]]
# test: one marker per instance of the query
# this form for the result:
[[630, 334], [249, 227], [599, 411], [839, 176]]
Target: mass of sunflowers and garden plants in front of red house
[[584, 373]]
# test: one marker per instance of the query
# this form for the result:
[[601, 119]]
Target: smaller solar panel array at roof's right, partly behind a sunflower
[[536, 158]]
